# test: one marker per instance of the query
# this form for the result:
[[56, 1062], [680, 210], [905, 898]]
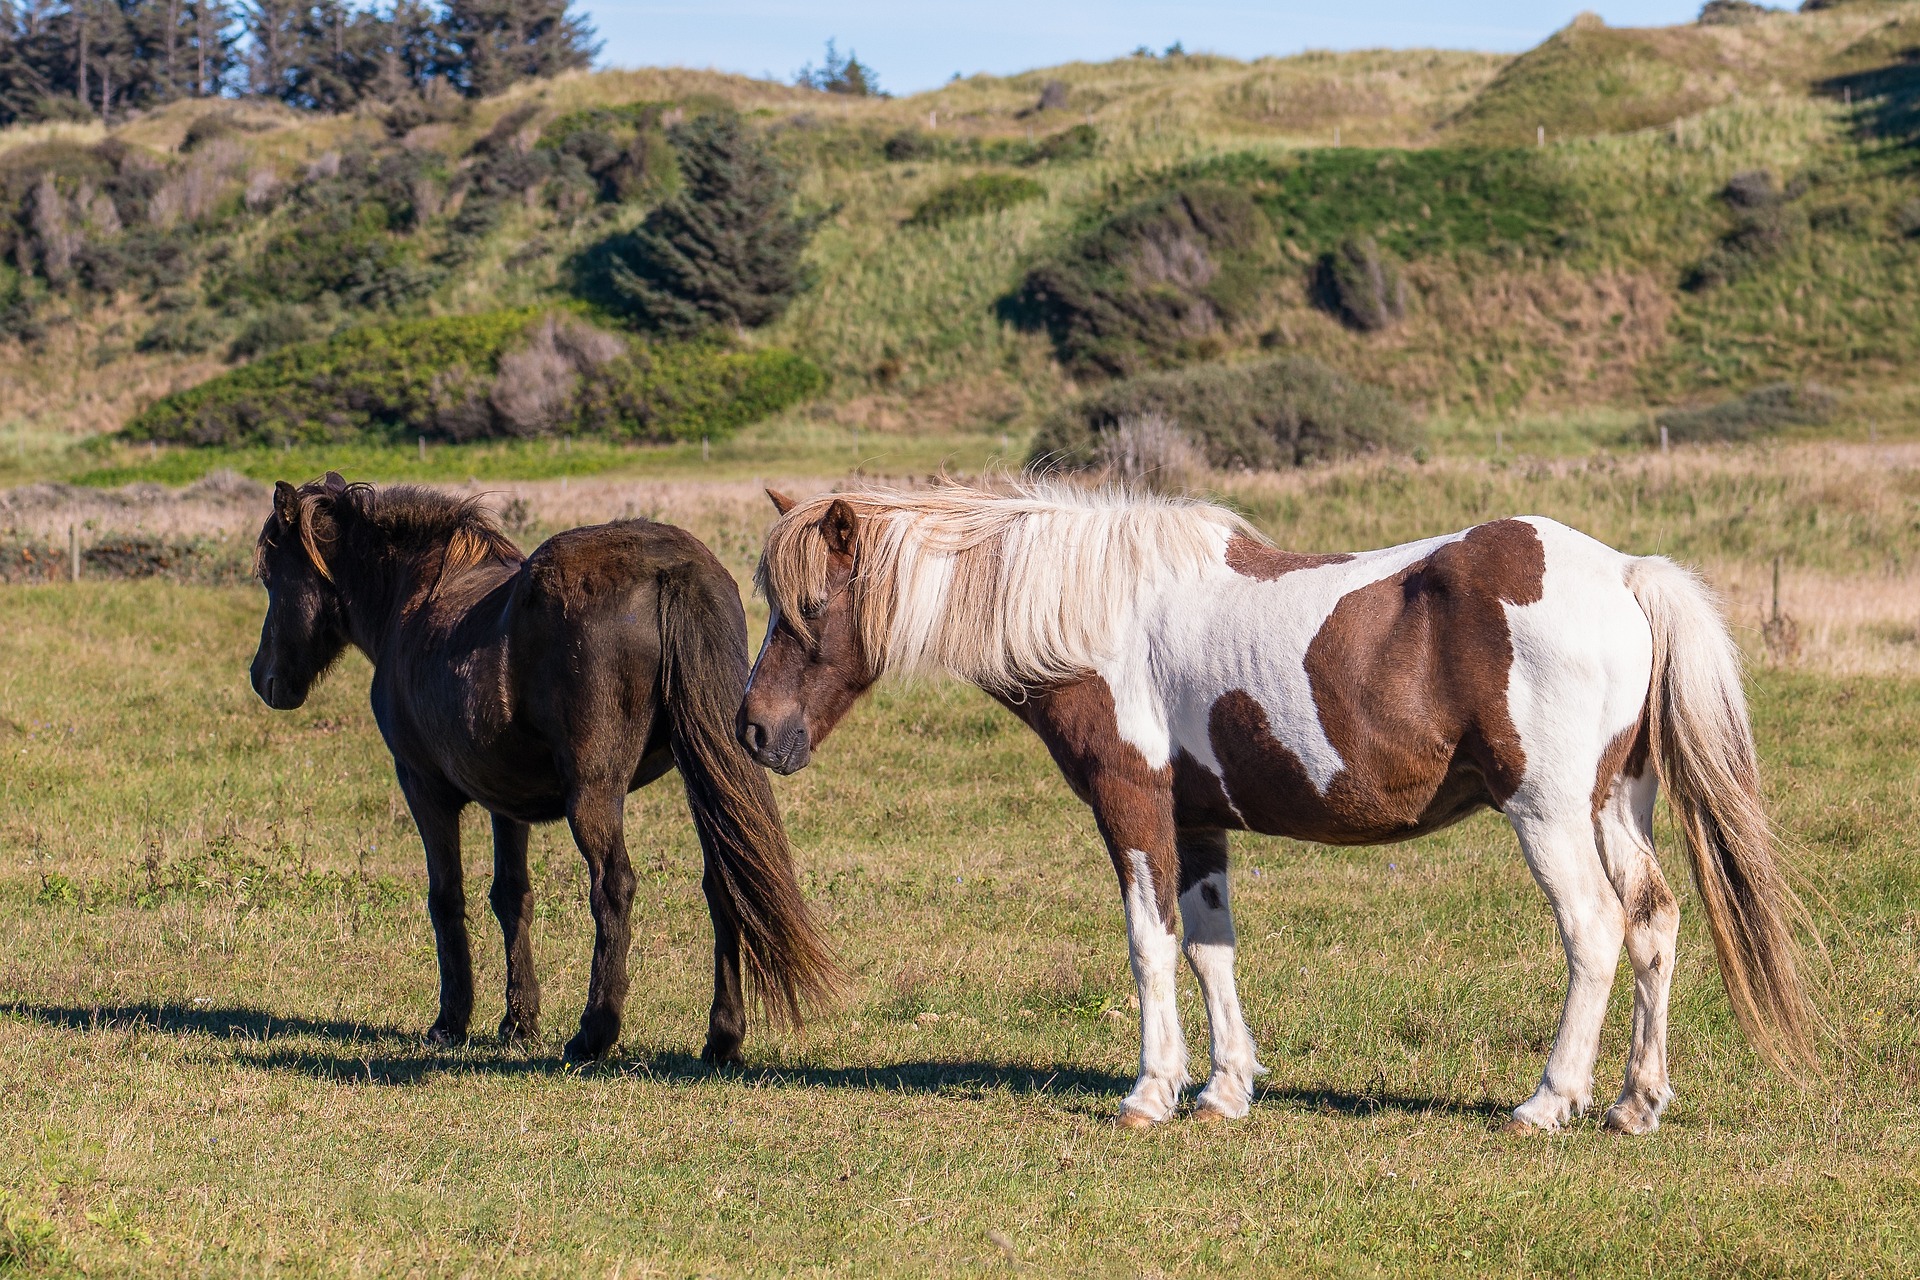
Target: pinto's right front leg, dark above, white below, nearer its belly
[[1209, 926]]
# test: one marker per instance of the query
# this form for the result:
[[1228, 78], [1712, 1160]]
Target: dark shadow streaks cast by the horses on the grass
[[393, 1056]]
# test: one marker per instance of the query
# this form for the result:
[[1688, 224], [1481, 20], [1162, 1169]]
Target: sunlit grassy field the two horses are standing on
[[218, 968]]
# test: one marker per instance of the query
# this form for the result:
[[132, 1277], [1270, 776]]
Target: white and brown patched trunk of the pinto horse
[[1385, 694]]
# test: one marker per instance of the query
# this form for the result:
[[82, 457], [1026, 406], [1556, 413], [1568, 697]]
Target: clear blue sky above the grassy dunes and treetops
[[919, 43]]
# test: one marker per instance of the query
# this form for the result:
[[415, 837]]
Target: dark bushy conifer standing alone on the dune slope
[[727, 250]]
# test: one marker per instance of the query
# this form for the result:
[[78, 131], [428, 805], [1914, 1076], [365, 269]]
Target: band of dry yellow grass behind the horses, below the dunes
[[1840, 517]]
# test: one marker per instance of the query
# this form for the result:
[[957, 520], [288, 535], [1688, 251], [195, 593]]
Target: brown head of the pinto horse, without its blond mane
[[813, 667]]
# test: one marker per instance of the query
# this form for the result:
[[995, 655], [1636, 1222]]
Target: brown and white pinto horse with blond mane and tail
[[1189, 678]]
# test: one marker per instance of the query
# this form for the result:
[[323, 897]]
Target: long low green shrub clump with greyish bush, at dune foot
[[479, 377]]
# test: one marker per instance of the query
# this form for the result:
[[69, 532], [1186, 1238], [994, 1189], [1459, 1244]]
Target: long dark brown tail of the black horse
[[704, 678]]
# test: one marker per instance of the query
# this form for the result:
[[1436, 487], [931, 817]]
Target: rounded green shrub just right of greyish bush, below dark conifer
[[694, 391]]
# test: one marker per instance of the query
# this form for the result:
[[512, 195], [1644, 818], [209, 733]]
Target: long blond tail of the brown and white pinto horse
[[1704, 751]]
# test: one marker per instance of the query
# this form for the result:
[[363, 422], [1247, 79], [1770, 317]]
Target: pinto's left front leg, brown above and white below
[[1138, 822]]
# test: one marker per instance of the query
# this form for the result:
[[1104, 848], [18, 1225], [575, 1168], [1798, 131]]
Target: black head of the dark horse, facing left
[[306, 627]]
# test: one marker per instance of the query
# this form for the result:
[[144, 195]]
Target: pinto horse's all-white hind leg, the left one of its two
[[1566, 861]]
